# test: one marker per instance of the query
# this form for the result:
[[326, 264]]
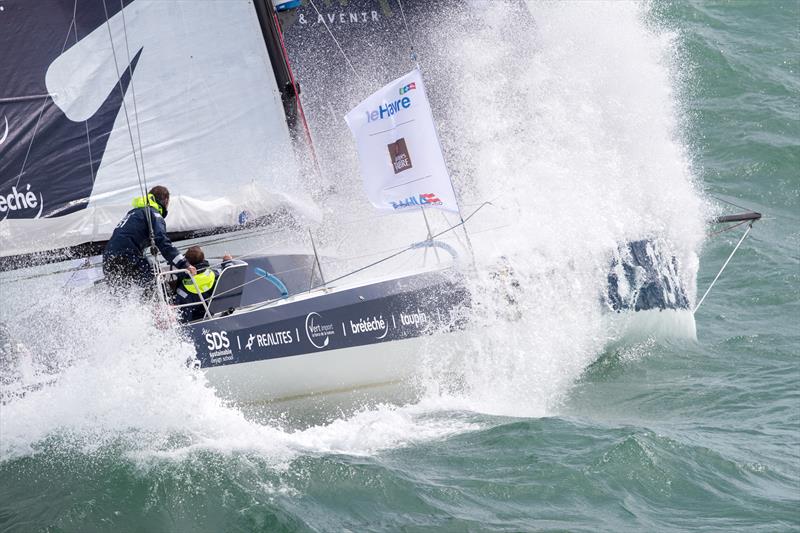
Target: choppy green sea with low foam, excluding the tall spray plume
[[654, 436]]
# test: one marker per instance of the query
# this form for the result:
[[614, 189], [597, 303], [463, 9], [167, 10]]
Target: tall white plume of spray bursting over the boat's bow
[[571, 129]]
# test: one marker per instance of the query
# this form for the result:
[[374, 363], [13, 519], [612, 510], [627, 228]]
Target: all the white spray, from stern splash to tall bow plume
[[566, 125]]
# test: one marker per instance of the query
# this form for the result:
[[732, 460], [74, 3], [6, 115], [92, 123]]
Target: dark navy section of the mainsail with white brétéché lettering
[[48, 162]]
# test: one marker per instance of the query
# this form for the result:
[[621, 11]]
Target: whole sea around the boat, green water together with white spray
[[602, 122]]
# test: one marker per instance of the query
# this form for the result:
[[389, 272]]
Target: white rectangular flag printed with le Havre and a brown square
[[401, 160]]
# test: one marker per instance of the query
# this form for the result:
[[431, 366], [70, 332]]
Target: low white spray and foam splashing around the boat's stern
[[107, 380]]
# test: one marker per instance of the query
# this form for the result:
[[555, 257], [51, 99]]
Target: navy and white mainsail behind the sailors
[[96, 96]]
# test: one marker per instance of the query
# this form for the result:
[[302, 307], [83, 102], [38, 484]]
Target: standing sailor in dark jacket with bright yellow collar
[[123, 258]]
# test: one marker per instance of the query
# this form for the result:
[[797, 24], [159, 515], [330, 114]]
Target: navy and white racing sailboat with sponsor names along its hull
[[101, 98]]
